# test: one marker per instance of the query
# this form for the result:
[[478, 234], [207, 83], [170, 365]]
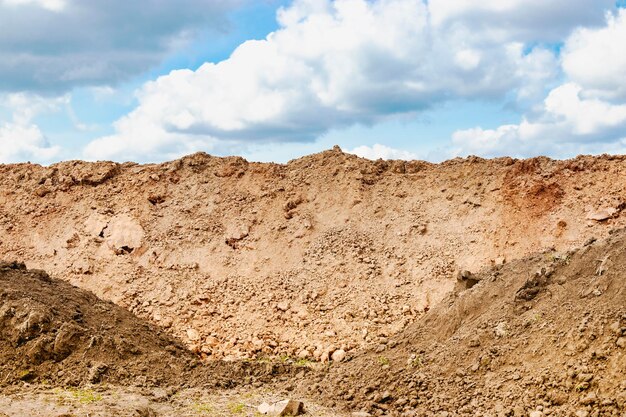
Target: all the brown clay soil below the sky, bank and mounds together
[[240, 279]]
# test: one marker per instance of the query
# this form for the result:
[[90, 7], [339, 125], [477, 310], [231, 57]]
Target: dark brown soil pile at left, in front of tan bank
[[57, 334]]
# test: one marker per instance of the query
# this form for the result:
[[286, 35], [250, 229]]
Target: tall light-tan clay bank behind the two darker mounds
[[328, 251]]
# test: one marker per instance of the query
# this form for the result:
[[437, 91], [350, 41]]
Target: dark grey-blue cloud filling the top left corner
[[56, 45]]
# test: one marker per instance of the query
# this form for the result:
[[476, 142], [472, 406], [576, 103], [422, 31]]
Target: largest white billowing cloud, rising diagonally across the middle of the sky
[[332, 64]]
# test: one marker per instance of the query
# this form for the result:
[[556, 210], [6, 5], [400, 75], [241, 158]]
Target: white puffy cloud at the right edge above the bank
[[586, 114]]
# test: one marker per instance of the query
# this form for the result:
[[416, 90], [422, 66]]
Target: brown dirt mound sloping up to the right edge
[[539, 336]]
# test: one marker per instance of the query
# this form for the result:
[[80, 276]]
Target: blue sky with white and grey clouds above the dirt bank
[[273, 80]]
